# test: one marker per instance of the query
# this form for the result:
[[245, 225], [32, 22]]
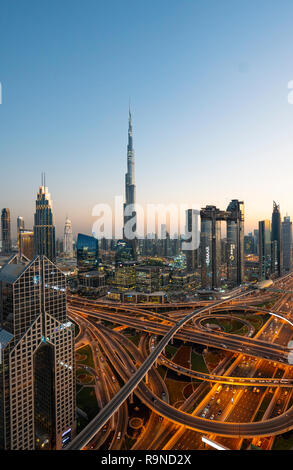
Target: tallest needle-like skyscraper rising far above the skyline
[[130, 193]]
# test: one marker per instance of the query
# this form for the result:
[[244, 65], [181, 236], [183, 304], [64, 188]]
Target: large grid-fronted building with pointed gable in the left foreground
[[37, 376]]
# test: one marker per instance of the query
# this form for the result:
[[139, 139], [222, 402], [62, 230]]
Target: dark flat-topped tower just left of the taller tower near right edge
[[264, 249]]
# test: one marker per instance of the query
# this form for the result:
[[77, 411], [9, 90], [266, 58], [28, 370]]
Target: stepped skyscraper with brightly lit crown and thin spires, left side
[[44, 229]]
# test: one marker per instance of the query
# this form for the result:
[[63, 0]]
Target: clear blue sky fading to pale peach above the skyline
[[208, 82]]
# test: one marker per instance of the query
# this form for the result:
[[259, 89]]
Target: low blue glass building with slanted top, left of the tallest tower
[[87, 253]]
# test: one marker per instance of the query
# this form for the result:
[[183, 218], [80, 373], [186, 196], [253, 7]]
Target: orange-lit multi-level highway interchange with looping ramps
[[264, 369]]
